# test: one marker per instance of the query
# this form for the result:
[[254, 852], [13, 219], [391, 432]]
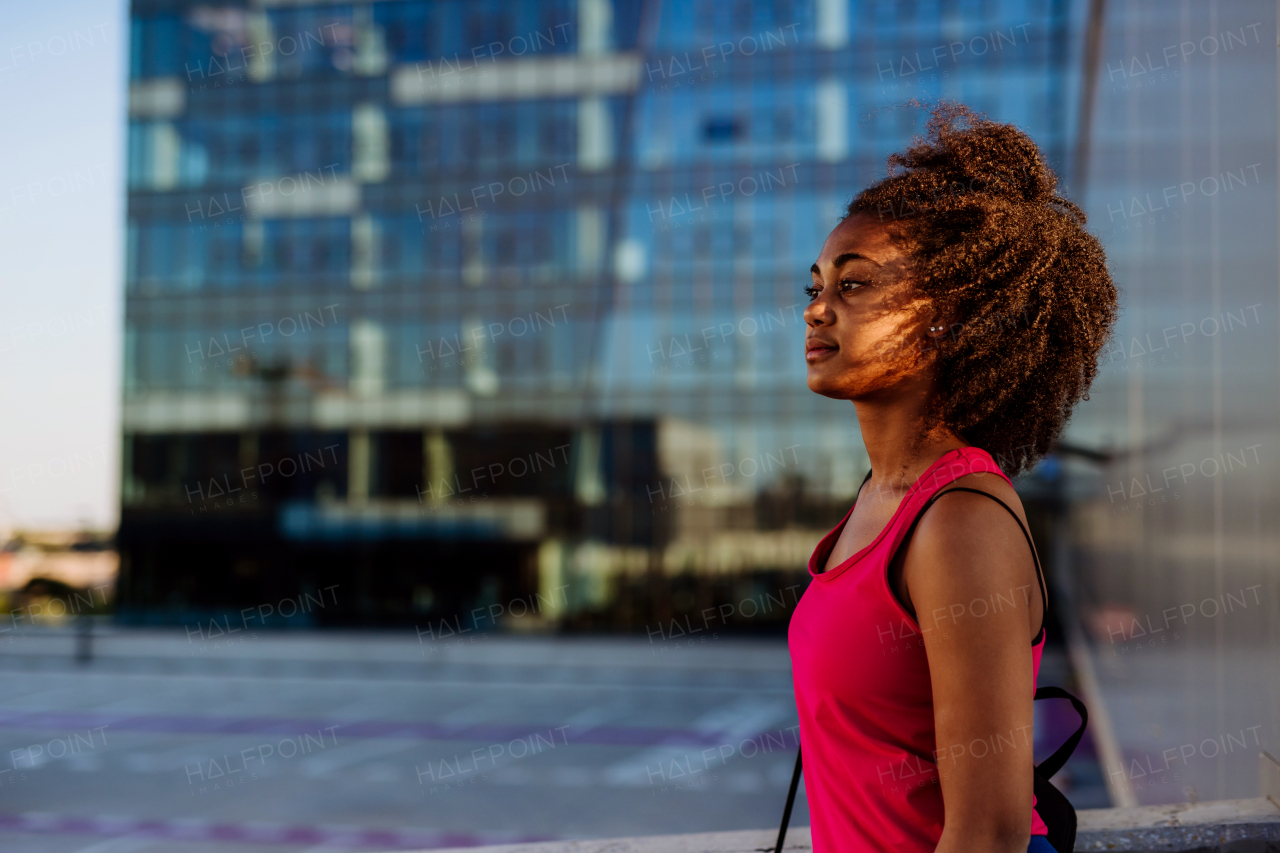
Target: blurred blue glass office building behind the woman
[[447, 308]]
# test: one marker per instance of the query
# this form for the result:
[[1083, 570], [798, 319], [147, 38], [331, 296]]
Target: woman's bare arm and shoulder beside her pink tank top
[[972, 582]]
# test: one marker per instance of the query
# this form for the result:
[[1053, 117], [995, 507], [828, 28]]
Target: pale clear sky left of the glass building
[[63, 83]]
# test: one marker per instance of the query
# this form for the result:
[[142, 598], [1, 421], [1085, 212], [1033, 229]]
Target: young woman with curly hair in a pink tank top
[[962, 307]]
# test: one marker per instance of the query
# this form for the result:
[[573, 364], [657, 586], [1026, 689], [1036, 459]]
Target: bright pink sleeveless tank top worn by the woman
[[863, 691]]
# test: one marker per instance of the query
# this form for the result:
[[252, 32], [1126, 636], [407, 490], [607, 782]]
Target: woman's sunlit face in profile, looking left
[[865, 323]]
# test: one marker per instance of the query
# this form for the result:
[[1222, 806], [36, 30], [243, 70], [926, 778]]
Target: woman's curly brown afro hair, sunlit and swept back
[[1009, 262]]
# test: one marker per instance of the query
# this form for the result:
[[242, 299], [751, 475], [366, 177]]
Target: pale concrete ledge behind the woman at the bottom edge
[[1146, 829]]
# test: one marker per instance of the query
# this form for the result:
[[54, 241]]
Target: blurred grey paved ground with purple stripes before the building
[[277, 742]]
